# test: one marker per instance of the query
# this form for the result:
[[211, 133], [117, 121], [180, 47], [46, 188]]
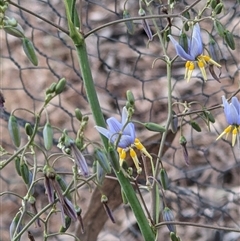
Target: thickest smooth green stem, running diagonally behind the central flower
[[80, 45]]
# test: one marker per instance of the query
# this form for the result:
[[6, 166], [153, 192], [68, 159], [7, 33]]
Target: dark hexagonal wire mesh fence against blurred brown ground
[[204, 192]]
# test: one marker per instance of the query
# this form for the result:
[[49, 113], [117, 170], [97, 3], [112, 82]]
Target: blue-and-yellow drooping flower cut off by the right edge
[[232, 113]]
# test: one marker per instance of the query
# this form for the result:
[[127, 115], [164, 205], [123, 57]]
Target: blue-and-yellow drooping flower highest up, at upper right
[[193, 52]]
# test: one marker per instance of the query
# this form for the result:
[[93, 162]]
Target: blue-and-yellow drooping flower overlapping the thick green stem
[[122, 134]]
